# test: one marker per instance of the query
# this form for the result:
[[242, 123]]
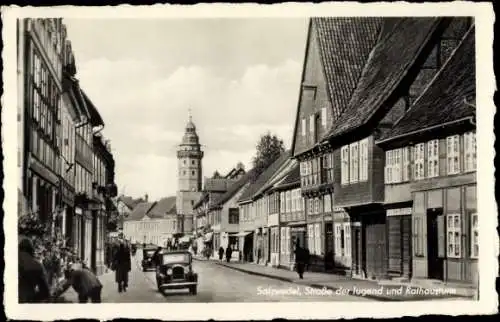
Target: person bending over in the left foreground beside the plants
[[84, 282]]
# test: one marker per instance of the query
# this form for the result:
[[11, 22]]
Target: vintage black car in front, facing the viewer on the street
[[175, 271]]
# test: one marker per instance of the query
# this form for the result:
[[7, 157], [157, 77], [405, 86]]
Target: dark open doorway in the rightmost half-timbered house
[[434, 263]]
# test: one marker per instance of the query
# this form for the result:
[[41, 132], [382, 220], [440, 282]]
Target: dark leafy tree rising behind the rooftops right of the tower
[[269, 148]]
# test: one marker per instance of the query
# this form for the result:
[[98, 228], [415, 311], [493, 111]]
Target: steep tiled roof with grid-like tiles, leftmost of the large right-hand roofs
[[344, 45]]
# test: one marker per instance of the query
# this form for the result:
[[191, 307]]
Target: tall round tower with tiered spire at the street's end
[[189, 164]]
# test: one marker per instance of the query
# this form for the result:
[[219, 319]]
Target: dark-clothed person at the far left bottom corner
[[33, 284]]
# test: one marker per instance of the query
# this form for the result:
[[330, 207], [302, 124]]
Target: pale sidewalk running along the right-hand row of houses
[[376, 290]]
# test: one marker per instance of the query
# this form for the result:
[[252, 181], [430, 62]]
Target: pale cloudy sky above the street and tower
[[240, 77]]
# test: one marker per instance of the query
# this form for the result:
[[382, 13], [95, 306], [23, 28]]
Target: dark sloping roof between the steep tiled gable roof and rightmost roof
[[401, 41]]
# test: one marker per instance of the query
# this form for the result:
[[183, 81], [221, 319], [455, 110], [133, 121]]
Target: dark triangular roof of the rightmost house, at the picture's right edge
[[443, 100]]
